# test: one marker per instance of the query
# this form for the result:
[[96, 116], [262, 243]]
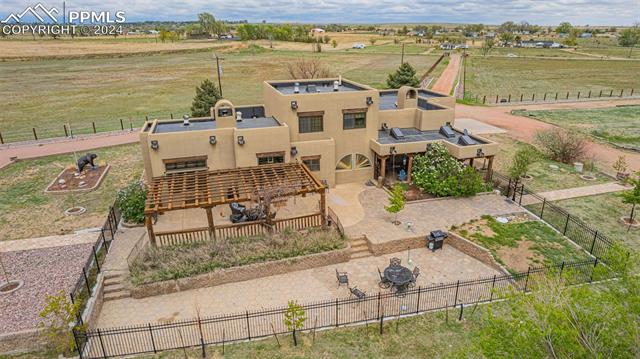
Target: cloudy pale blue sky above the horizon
[[541, 12]]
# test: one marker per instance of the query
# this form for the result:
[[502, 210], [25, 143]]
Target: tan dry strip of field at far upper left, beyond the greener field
[[49, 48]]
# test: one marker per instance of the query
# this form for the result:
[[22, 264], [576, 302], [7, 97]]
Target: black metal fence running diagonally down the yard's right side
[[590, 239]]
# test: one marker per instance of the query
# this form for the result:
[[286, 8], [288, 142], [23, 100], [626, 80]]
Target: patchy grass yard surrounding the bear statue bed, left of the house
[[26, 211]]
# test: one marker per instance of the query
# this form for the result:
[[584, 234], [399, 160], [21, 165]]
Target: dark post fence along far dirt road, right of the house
[[551, 96]]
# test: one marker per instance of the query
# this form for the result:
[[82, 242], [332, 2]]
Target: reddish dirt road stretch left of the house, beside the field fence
[[33, 150]]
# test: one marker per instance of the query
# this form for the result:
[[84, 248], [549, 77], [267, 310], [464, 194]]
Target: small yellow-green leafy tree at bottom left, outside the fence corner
[[56, 320]]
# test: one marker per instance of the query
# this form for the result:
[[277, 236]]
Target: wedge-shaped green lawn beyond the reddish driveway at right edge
[[619, 126]]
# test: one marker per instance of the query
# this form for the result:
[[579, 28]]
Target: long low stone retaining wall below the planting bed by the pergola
[[238, 274]]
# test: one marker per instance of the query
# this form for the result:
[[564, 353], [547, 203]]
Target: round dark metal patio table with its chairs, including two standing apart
[[395, 277]]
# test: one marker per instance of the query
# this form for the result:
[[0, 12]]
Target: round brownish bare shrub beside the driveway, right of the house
[[562, 146]]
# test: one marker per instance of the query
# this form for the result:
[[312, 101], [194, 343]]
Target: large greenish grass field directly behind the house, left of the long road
[[80, 91]]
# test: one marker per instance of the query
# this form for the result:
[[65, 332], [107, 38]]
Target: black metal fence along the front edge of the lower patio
[[248, 325]]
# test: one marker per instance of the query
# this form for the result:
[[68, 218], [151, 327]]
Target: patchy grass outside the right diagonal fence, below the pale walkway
[[604, 211]]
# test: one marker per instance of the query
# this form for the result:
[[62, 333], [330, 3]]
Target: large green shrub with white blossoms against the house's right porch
[[440, 174]]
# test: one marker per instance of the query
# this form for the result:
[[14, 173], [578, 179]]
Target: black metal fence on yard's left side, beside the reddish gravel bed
[[83, 288]]
